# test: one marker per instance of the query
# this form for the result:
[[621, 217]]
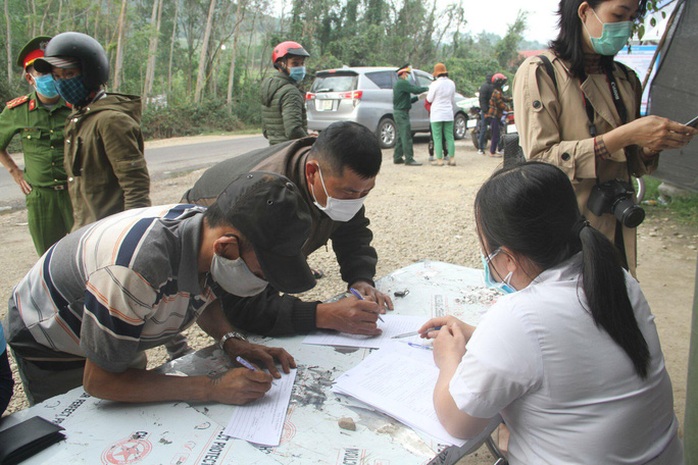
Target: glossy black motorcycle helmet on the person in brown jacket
[[94, 64]]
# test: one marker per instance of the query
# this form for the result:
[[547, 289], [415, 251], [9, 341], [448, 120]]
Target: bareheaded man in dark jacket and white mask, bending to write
[[334, 173]]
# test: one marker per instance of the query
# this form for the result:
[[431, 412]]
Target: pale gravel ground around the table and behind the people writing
[[416, 213]]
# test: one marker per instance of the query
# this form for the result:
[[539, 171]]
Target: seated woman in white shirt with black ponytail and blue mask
[[571, 356]]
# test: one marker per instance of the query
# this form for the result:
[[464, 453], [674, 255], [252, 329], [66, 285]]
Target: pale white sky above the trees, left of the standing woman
[[541, 22]]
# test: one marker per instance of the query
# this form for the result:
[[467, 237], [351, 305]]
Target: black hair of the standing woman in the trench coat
[[570, 37]]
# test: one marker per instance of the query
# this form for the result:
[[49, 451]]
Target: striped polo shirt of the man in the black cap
[[112, 289]]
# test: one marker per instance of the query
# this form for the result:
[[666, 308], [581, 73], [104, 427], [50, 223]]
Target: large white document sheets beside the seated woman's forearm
[[399, 381]]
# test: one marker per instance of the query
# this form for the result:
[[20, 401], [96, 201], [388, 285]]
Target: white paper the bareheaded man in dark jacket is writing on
[[392, 326]]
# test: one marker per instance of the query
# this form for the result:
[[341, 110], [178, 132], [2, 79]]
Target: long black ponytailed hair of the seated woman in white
[[531, 208]]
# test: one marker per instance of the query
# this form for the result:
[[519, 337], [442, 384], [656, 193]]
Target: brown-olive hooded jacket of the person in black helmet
[[104, 159]]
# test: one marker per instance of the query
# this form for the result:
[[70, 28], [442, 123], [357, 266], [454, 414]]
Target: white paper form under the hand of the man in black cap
[[262, 421]]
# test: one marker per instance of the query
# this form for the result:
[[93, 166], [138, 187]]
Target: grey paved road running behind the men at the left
[[162, 162]]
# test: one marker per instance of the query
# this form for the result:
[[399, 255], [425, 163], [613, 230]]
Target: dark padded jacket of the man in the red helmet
[[283, 109]]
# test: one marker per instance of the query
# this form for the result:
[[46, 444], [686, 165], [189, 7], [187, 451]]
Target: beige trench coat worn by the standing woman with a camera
[[553, 127]]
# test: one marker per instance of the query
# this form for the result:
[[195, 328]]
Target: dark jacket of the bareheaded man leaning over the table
[[271, 313]]
